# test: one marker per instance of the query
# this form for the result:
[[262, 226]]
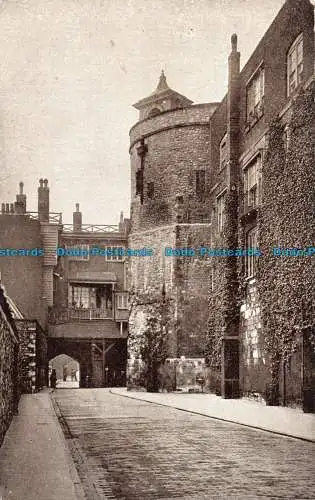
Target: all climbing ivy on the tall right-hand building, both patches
[[285, 219]]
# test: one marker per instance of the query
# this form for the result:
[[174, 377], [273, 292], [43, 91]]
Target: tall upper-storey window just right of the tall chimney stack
[[255, 96]]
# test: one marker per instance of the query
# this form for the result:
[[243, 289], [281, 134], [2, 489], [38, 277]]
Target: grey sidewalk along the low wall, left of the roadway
[[35, 462]]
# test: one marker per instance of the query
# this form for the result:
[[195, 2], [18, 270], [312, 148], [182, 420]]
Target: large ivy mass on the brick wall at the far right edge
[[286, 220]]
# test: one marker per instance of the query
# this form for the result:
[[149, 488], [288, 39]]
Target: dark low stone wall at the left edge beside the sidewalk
[[8, 366]]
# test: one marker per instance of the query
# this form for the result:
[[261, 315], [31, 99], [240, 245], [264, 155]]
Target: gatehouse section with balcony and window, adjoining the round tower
[[89, 317]]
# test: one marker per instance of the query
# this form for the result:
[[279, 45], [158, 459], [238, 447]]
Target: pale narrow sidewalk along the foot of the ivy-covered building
[[277, 419]]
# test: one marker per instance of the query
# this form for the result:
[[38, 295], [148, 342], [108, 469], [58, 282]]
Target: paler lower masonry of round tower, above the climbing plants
[[185, 280]]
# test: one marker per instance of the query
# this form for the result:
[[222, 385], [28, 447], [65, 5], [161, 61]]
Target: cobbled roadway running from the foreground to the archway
[[128, 449]]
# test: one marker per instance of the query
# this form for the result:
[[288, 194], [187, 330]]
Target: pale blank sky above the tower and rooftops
[[71, 70]]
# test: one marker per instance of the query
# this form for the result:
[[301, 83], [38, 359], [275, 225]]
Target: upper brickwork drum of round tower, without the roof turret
[[169, 167]]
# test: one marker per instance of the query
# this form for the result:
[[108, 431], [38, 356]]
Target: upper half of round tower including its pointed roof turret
[[170, 160]]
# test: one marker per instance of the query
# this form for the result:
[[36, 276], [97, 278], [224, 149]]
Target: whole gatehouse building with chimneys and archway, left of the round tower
[[68, 304]]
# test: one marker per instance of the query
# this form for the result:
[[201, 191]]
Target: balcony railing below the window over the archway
[[69, 314]]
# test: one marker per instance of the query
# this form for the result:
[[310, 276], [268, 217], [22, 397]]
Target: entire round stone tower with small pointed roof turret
[[170, 208]]
